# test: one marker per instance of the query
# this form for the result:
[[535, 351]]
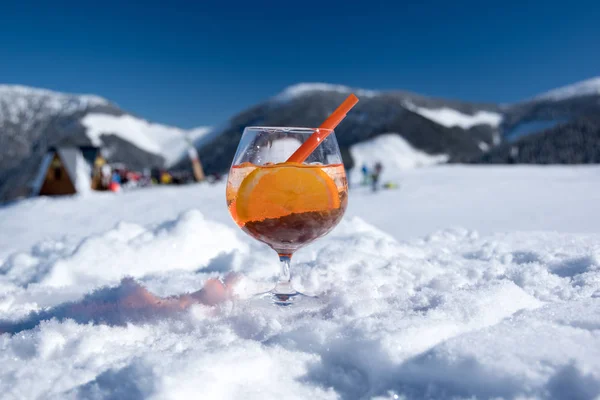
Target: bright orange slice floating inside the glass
[[283, 189]]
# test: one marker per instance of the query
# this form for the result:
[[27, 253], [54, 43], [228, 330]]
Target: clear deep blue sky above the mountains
[[191, 64]]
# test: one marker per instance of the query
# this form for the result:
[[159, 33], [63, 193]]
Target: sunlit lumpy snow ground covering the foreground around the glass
[[464, 282]]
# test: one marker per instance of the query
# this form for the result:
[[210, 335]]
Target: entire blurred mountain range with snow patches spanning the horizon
[[31, 120]]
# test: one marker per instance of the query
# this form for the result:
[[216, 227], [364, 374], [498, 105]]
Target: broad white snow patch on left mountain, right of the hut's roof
[[168, 141]]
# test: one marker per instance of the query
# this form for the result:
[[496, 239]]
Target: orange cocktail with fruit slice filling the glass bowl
[[287, 205]]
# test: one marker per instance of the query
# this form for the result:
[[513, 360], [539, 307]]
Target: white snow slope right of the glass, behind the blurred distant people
[[393, 152]]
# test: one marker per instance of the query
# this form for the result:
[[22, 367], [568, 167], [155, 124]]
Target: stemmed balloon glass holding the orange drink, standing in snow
[[286, 205]]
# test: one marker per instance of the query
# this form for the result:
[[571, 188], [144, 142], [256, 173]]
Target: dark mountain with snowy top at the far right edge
[[559, 126]]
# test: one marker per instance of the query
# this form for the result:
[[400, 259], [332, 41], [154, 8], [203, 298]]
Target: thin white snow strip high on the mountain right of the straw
[[450, 117]]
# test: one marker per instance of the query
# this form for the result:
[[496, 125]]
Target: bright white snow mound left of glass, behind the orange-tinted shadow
[[130, 250]]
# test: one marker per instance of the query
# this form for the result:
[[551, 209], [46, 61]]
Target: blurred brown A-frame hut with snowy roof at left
[[65, 170]]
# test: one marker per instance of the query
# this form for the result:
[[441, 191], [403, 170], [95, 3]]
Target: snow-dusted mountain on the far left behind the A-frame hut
[[32, 120]]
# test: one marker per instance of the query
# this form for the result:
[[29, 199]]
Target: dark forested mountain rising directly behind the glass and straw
[[434, 126]]
